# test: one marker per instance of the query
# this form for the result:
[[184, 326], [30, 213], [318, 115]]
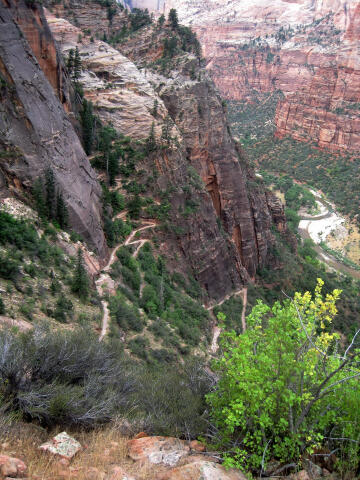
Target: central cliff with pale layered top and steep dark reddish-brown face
[[221, 225]]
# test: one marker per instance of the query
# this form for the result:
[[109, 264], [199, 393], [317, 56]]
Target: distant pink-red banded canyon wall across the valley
[[308, 50]]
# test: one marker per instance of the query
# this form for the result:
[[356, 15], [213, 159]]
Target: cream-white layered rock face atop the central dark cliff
[[121, 93]]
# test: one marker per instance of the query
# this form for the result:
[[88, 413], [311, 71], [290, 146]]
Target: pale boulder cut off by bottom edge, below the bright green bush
[[202, 470]]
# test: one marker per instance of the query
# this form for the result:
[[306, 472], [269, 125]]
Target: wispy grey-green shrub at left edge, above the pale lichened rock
[[63, 377]]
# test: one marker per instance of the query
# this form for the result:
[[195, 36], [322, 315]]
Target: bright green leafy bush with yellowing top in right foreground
[[284, 387]]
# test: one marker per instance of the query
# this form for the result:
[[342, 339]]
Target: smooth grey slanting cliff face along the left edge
[[35, 132]]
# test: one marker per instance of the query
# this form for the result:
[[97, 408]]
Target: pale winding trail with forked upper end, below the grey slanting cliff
[[105, 278]]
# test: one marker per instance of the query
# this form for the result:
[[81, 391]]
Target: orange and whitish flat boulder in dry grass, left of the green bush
[[165, 450]]
